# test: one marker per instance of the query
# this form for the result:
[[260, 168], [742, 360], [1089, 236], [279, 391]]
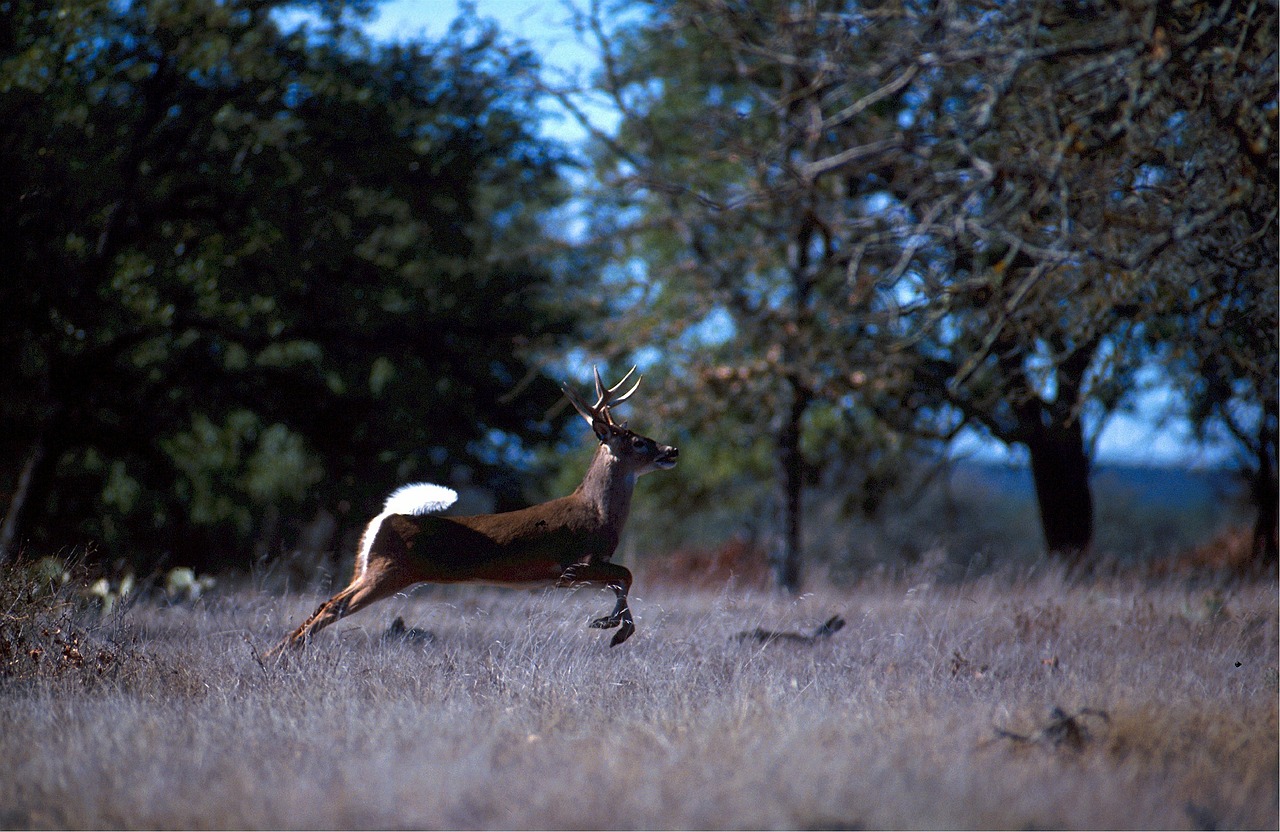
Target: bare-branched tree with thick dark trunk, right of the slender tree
[[1103, 150]]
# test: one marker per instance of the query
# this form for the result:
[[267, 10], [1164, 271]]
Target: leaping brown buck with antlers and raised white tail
[[565, 542]]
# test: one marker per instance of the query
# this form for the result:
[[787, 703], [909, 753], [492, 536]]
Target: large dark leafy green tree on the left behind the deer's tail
[[252, 267]]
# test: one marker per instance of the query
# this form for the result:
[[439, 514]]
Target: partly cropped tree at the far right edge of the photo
[[1218, 332]]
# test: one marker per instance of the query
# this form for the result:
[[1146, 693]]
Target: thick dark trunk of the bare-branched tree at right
[[1060, 469]]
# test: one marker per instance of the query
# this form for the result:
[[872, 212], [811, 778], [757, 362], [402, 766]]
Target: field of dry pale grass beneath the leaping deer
[[1032, 703]]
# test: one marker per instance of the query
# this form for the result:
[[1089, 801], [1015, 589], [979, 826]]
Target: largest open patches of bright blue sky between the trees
[[1150, 436]]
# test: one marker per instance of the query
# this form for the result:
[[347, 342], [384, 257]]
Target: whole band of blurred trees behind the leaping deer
[[257, 276]]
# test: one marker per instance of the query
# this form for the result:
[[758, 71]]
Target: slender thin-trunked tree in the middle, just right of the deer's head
[[735, 200]]
